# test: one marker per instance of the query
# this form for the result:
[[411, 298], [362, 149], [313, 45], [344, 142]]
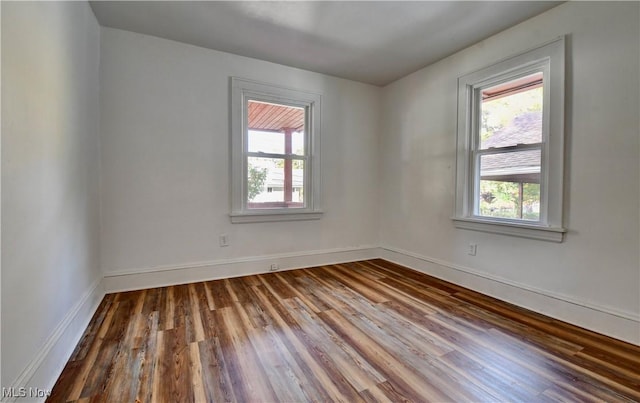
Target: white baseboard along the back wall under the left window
[[203, 271]]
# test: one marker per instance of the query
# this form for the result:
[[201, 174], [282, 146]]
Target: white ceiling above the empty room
[[374, 42]]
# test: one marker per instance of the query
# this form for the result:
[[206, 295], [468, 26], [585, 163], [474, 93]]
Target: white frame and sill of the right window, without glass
[[549, 59]]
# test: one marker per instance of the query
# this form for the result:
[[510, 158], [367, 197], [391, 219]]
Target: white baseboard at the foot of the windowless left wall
[[43, 371]]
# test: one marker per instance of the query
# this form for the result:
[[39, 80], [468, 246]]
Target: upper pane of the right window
[[512, 113]]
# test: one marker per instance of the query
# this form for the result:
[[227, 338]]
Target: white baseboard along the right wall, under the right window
[[605, 320]]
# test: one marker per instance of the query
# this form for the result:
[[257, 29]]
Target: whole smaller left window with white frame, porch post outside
[[275, 139]]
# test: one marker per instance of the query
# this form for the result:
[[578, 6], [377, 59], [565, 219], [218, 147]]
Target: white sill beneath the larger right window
[[551, 234]]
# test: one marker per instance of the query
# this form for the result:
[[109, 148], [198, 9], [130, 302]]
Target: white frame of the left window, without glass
[[243, 91]]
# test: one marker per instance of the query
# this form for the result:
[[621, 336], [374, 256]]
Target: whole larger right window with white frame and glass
[[510, 151]]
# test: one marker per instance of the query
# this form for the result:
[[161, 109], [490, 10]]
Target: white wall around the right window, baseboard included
[[598, 265]]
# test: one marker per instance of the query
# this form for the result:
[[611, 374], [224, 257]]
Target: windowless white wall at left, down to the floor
[[50, 205]]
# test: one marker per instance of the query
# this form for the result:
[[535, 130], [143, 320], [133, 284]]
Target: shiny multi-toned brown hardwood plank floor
[[362, 331]]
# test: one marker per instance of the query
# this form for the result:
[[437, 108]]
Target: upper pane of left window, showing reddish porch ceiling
[[275, 128]]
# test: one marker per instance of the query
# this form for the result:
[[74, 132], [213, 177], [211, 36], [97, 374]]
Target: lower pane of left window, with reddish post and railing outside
[[275, 183]]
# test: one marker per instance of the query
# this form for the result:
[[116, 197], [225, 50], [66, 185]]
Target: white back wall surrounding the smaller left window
[[165, 159]]
